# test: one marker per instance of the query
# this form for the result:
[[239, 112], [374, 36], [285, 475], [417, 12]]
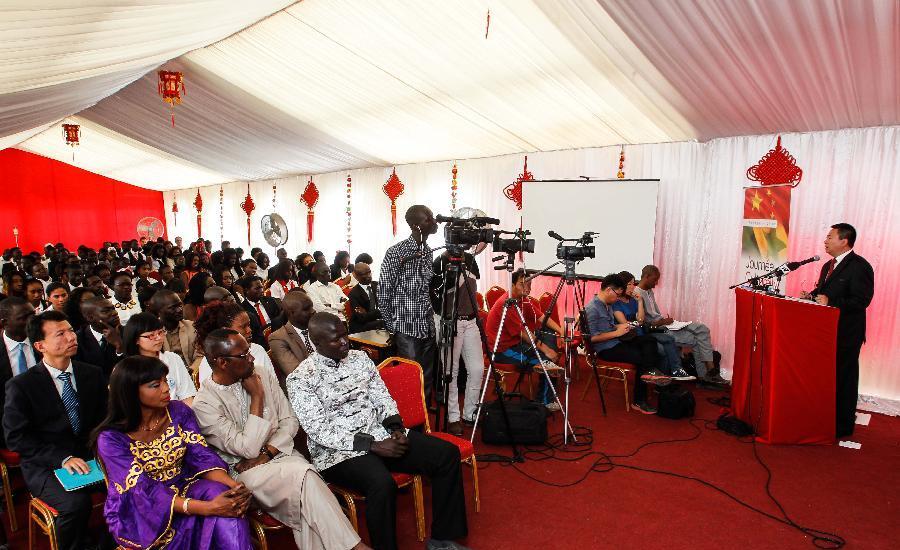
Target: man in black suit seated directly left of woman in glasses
[[100, 339]]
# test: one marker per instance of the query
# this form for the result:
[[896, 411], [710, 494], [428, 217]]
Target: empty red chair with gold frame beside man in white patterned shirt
[[403, 379]]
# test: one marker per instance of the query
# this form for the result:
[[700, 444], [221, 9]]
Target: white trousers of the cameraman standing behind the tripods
[[468, 344]]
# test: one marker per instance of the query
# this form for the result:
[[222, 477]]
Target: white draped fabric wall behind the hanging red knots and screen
[[849, 175]]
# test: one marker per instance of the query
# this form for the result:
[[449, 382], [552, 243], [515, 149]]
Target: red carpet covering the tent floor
[[853, 493]]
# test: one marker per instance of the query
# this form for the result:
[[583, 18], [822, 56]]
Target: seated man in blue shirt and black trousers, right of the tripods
[[617, 342]]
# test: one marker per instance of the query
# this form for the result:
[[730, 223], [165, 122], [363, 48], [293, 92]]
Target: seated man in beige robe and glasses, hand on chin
[[245, 416]]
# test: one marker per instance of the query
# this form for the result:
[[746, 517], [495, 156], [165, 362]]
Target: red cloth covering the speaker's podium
[[784, 368]]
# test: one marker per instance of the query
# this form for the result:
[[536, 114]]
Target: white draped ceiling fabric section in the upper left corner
[[59, 57]]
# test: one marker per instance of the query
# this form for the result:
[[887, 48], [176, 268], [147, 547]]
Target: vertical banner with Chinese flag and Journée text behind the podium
[[767, 214]]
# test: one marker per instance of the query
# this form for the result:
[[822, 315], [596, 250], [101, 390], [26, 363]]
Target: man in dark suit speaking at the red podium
[[846, 282]]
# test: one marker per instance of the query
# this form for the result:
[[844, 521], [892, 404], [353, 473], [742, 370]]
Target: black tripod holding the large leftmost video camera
[[449, 316]]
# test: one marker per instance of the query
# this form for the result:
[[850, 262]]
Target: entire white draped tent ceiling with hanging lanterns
[[326, 85]]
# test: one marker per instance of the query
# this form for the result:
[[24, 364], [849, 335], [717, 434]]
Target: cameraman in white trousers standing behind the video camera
[[468, 336]]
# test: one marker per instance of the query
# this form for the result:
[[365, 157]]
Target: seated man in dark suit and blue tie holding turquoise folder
[[49, 413]]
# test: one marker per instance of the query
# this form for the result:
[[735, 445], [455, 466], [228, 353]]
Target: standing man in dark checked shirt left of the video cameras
[[403, 293]]
